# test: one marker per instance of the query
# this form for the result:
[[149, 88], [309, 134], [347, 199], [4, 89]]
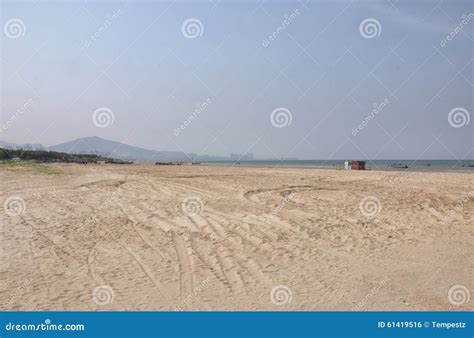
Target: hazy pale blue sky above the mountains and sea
[[64, 60]]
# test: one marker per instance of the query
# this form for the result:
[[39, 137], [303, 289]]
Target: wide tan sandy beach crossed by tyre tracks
[[145, 237]]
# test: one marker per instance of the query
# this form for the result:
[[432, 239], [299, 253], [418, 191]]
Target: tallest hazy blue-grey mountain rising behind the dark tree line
[[113, 149]]
